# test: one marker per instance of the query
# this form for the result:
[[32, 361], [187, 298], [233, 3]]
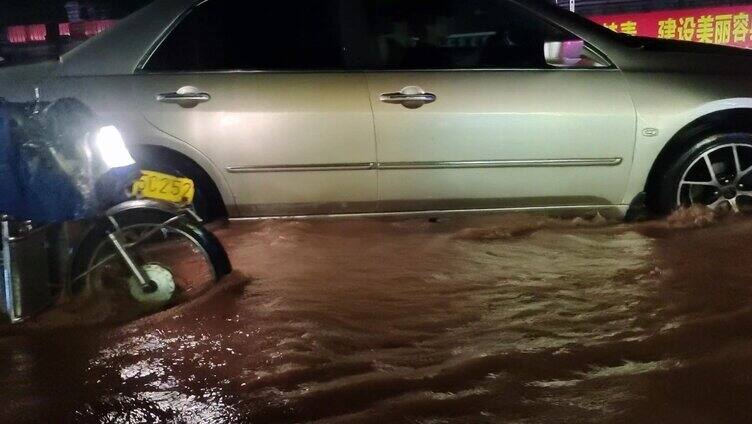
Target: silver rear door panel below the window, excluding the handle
[[272, 132]]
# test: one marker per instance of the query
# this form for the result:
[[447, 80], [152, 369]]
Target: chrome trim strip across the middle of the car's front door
[[499, 164]]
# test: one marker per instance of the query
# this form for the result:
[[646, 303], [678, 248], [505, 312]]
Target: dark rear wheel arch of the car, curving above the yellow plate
[[215, 195]]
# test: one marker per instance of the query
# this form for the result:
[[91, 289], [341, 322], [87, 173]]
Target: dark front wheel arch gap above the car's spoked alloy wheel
[[718, 122]]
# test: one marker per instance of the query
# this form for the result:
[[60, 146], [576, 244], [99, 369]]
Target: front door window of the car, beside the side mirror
[[464, 34]]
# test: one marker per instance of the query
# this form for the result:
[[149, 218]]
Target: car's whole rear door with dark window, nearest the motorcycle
[[258, 89]]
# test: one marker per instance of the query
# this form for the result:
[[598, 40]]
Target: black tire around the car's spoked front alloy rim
[[663, 195]]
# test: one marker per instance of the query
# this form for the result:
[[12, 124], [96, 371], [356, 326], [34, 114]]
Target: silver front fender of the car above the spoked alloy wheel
[[675, 83]]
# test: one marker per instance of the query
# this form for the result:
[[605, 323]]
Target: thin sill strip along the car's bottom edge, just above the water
[[620, 210]]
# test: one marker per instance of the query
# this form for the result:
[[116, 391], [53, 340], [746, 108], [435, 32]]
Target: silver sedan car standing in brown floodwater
[[327, 107]]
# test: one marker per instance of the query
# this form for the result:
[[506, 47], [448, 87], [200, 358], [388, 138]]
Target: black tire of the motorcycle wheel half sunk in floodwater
[[87, 248]]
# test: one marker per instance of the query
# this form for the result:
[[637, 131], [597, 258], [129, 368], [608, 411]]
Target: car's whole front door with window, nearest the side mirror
[[469, 113]]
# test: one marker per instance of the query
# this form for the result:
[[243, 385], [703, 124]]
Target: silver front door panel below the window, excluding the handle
[[500, 135]]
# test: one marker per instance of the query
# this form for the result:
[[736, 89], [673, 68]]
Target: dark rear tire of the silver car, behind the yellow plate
[[207, 202]]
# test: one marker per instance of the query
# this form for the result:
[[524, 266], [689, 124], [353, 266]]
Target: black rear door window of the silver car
[[237, 35]]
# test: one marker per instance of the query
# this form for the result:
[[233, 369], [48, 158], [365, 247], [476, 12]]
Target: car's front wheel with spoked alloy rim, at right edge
[[716, 173]]
